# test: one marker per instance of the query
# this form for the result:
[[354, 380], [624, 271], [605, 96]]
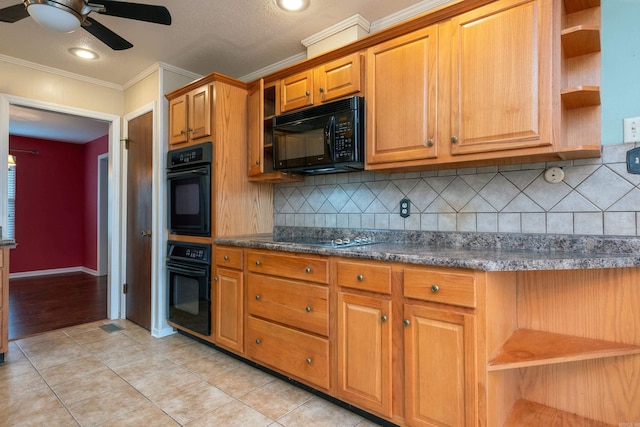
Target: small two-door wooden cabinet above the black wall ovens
[[190, 116]]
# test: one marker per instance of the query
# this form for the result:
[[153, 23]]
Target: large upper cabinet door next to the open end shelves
[[500, 77]]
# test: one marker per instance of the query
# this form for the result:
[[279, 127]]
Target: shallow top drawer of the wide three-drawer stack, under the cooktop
[[288, 266]]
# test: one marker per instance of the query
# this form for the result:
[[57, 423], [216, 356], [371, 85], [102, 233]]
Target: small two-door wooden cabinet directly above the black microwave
[[326, 82]]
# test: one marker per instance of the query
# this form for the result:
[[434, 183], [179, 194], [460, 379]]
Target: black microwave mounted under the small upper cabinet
[[328, 138]]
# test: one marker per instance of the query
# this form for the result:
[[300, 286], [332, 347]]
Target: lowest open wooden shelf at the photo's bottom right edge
[[530, 414]]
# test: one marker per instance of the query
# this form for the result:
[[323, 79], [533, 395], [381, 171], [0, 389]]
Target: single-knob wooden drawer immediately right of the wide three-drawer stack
[[365, 276]]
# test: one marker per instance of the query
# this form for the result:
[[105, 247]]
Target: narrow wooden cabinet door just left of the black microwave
[[255, 117]]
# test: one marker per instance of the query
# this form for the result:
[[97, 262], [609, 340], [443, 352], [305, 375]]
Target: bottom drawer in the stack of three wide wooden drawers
[[292, 352]]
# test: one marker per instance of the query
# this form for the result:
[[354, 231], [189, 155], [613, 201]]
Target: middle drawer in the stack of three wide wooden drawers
[[296, 304]]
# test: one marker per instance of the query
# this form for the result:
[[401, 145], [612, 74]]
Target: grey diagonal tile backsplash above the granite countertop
[[596, 197]]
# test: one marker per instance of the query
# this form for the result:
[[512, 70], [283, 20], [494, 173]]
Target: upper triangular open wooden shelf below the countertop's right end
[[527, 347]]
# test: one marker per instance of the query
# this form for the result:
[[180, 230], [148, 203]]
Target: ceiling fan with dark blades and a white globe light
[[67, 15]]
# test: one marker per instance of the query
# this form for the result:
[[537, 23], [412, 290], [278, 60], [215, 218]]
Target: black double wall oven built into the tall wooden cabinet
[[188, 264]]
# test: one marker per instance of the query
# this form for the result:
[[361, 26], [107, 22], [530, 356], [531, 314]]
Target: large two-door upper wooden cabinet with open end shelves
[[502, 83]]
